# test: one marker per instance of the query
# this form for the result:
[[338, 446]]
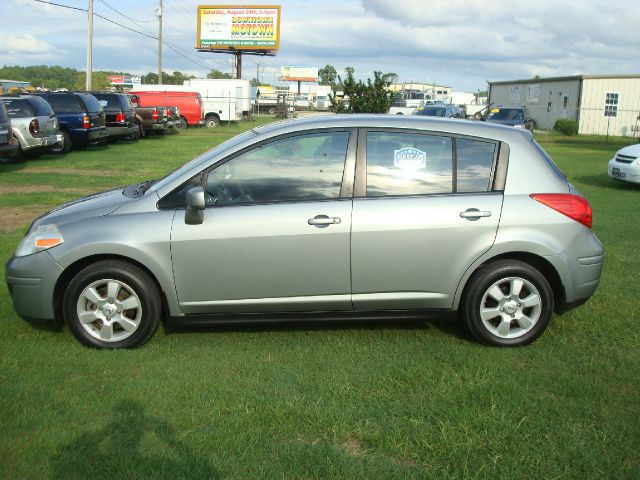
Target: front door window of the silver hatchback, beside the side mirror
[[299, 168]]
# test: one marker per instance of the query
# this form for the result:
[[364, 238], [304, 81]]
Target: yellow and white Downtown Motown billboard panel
[[249, 27]]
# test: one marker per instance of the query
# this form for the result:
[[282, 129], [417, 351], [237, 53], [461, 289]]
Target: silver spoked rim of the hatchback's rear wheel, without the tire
[[510, 307]]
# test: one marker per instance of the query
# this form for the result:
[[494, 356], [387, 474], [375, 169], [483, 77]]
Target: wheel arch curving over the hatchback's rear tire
[[536, 261]]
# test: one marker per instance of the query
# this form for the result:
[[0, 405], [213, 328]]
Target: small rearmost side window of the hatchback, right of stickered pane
[[475, 162]]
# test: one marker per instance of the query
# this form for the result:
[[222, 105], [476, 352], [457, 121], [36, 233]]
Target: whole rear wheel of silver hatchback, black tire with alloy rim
[[523, 311]]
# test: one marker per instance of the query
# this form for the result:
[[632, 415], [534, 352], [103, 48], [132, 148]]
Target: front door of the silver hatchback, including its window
[[276, 232]]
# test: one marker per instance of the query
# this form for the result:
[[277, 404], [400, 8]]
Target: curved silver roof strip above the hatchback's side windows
[[444, 125]]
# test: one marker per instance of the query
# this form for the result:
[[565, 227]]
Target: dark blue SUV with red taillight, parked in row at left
[[81, 119]]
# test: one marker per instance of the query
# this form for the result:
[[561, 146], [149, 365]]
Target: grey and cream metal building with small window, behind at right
[[601, 104]]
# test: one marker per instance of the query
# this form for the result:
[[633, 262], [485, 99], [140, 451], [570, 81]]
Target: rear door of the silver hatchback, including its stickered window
[[424, 211]]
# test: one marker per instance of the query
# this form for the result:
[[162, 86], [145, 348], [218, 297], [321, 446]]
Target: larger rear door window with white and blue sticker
[[408, 164]]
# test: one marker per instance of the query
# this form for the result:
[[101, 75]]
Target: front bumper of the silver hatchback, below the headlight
[[31, 282]]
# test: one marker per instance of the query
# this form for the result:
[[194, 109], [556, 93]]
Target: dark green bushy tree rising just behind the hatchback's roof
[[369, 97]]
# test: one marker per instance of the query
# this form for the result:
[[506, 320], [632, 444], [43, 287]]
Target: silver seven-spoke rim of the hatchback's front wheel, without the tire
[[109, 310]]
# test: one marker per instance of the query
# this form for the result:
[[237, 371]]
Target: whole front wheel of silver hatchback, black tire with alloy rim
[[126, 327]]
